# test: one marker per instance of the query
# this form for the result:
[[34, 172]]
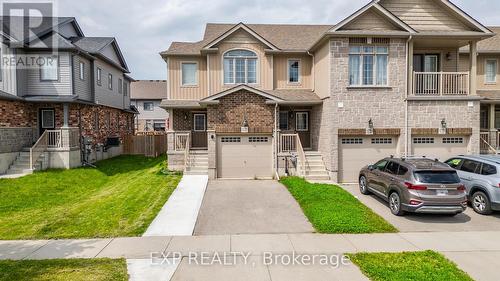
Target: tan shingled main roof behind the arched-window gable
[[285, 37]]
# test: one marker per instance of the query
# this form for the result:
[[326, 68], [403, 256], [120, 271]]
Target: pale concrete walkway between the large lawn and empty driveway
[[178, 216]]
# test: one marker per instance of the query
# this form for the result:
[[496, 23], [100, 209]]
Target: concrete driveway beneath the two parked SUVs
[[467, 221]]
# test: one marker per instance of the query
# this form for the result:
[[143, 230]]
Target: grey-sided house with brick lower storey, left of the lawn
[[73, 105]]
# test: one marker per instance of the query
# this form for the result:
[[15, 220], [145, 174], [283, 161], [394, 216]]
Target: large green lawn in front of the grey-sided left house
[[119, 198]]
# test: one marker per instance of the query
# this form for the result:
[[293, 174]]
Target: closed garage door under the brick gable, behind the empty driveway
[[245, 157]]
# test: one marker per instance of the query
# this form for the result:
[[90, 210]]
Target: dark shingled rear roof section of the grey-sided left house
[[96, 46]]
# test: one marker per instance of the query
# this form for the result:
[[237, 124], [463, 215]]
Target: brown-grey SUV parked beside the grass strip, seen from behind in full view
[[417, 185]]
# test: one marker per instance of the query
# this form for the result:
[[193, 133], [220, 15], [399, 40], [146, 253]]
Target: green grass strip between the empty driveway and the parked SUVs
[[331, 209]]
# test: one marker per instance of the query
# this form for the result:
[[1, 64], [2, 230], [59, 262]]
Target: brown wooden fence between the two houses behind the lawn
[[148, 145]]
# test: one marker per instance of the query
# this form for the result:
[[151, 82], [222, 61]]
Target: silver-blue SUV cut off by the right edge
[[480, 175]]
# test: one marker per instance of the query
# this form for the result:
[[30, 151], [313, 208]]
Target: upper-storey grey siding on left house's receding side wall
[[103, 95]]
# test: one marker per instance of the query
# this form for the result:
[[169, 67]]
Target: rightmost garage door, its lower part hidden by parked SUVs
[[440, 147]]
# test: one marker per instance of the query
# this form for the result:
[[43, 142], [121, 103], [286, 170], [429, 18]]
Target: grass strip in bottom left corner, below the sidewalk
[[63, 270]]
